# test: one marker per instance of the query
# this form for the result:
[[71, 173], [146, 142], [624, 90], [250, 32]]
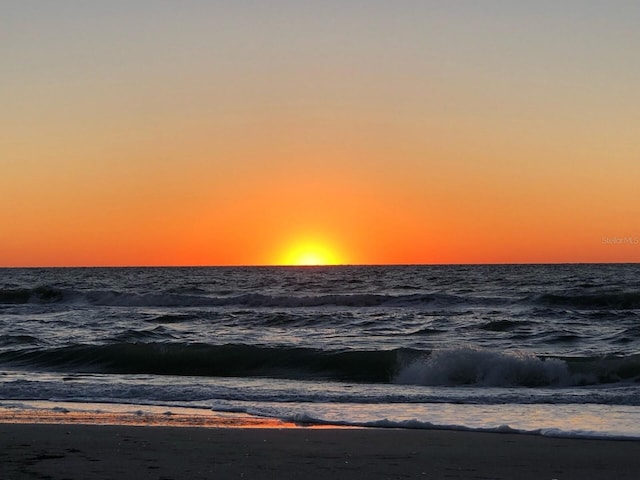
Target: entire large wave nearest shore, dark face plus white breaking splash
[[450, 367]]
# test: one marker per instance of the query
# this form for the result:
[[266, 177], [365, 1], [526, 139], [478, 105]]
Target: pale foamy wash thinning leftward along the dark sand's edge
[[569, 421]]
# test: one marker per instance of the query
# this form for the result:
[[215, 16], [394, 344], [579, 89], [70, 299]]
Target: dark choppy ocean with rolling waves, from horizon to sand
[[536, 349]]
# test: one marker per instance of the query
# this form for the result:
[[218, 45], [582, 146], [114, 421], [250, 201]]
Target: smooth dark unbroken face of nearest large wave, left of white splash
[[231, 360]]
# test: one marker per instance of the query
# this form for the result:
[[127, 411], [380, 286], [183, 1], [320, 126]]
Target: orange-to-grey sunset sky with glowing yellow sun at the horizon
[[192, 132]]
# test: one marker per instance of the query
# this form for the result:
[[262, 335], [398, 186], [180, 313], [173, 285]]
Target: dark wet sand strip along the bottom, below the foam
[[85, 452]]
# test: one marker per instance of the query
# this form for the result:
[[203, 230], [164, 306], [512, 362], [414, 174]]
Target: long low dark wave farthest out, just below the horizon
[[191, 297]]
